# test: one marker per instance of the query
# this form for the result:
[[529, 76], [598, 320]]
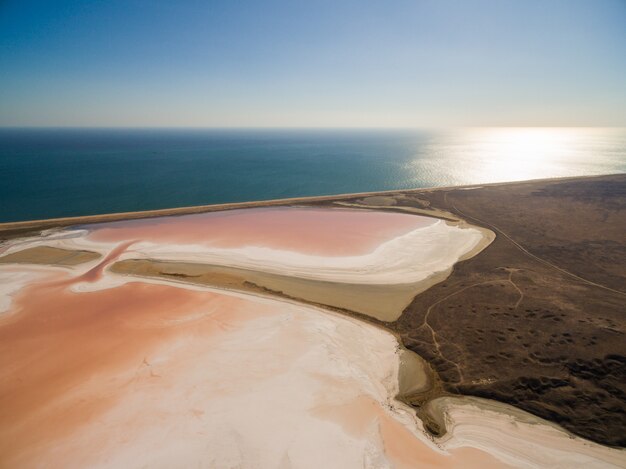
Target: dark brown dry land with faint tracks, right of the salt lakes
[[538, 319]]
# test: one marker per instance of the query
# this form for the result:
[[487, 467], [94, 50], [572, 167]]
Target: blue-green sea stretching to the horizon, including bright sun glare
[[47, 173]]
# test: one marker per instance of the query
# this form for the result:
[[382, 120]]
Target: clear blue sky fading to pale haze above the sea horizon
[[352, 63]]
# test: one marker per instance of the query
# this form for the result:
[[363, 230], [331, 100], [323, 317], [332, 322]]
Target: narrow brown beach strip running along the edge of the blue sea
[[17, 228]]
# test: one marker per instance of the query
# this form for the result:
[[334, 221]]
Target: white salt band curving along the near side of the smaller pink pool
[[410, 258]]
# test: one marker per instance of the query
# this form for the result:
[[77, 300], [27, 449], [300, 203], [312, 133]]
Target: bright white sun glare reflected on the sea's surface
[[497, 154]]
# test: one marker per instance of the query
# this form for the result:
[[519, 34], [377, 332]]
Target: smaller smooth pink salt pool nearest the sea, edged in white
[[325, 232]]
